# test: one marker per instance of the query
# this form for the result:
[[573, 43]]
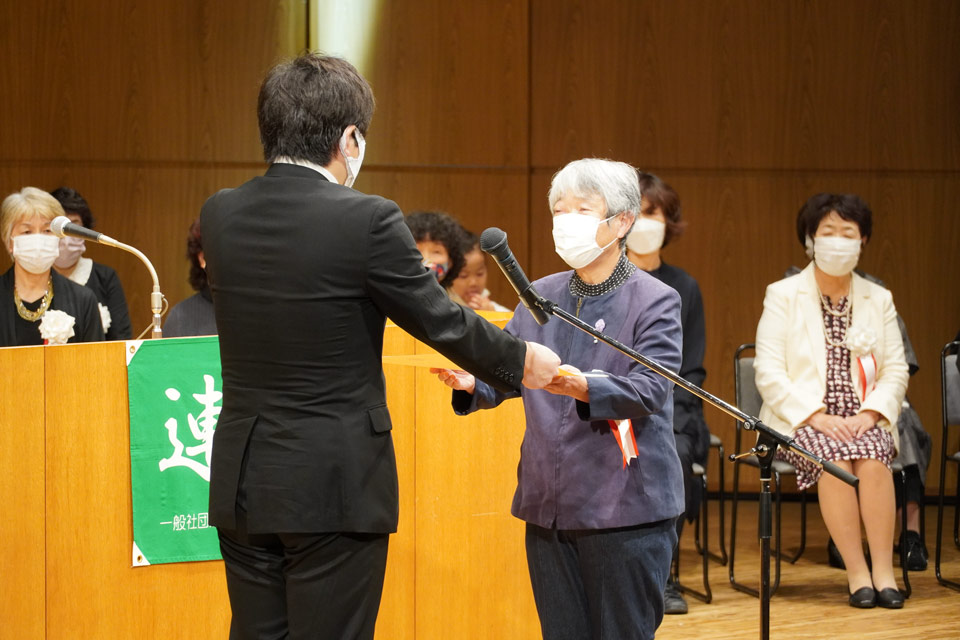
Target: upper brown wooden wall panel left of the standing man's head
[[146, 80]]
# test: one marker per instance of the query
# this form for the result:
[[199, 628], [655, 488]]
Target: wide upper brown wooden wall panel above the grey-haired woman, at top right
[[740, 84]]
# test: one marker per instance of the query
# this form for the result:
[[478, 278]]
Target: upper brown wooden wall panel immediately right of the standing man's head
[[451, 84]]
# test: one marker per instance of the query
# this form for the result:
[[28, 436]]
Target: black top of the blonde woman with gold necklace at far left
[[68, 297]]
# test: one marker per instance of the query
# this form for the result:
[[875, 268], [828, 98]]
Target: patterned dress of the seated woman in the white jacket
[[841, 400]]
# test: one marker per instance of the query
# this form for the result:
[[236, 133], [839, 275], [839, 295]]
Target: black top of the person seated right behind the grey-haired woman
[[688, 408]]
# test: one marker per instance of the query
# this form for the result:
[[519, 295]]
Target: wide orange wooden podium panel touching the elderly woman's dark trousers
[[472, 579]]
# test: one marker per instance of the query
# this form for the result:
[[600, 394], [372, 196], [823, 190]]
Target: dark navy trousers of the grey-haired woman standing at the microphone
[[605, 583]]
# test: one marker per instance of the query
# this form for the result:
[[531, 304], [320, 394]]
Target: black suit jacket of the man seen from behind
[[303, 273]]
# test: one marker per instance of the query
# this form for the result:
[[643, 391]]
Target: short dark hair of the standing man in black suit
[[306, 103]]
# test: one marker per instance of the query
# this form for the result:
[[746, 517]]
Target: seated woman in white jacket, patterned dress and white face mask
[[831, 371]]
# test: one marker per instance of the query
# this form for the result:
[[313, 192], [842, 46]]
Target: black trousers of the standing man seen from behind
[[303, 586]]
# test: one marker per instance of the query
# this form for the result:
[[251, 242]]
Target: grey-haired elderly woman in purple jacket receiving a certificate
[[600, 520]]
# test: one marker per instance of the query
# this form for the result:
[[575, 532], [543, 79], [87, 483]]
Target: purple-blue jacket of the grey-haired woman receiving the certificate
[[571, 471]]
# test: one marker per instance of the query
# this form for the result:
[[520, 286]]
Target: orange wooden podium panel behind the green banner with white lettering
[[92, 590]]
